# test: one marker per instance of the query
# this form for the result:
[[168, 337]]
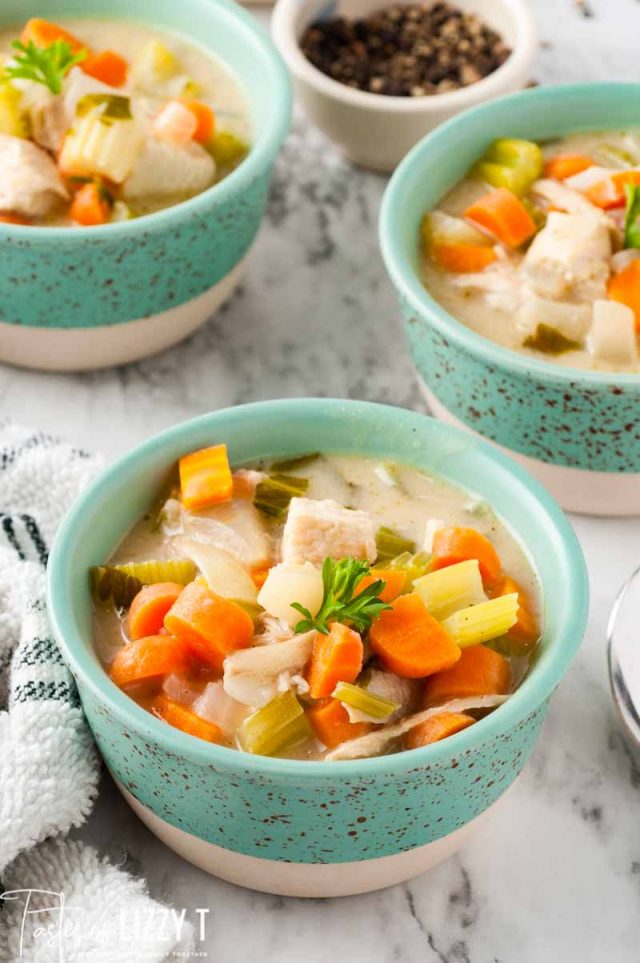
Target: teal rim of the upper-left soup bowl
[[262, 152]]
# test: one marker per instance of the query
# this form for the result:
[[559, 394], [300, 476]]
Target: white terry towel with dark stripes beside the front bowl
[[48, 764]]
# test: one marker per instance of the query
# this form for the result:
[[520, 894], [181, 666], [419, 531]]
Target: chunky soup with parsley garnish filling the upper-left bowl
[[104, 121]]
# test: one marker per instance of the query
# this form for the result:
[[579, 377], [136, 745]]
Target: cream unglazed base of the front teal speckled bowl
[[312, 880]]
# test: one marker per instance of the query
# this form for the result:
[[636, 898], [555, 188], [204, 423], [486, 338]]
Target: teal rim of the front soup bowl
[[533, 691]]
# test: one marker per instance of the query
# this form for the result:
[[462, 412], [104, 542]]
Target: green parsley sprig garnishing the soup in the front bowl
[[340, 602]]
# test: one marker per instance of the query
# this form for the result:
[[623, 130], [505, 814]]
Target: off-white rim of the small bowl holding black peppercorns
[[520, 58]]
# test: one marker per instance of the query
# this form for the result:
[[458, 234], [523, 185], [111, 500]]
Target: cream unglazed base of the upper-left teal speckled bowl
[[85, 349]]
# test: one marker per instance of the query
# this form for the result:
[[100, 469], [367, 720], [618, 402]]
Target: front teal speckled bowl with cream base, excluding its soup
[[315, 828]]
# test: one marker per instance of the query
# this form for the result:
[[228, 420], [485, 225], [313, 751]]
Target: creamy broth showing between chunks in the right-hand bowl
[[499, 322]]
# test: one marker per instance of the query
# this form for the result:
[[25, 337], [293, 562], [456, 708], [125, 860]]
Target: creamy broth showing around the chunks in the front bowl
[[396, 497]]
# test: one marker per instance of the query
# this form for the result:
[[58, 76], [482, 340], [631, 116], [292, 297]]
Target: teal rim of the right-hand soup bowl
[[408, 283]]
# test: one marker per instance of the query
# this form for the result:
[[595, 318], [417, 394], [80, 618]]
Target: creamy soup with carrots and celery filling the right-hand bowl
[[538, 249]]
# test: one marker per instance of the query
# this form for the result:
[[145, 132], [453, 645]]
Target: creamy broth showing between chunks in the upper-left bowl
[[207, 80]]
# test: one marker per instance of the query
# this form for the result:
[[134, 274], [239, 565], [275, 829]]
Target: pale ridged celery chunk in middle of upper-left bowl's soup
[[102, 141]]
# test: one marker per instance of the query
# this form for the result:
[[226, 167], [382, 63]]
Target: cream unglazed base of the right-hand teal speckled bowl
[[575, 489]]
